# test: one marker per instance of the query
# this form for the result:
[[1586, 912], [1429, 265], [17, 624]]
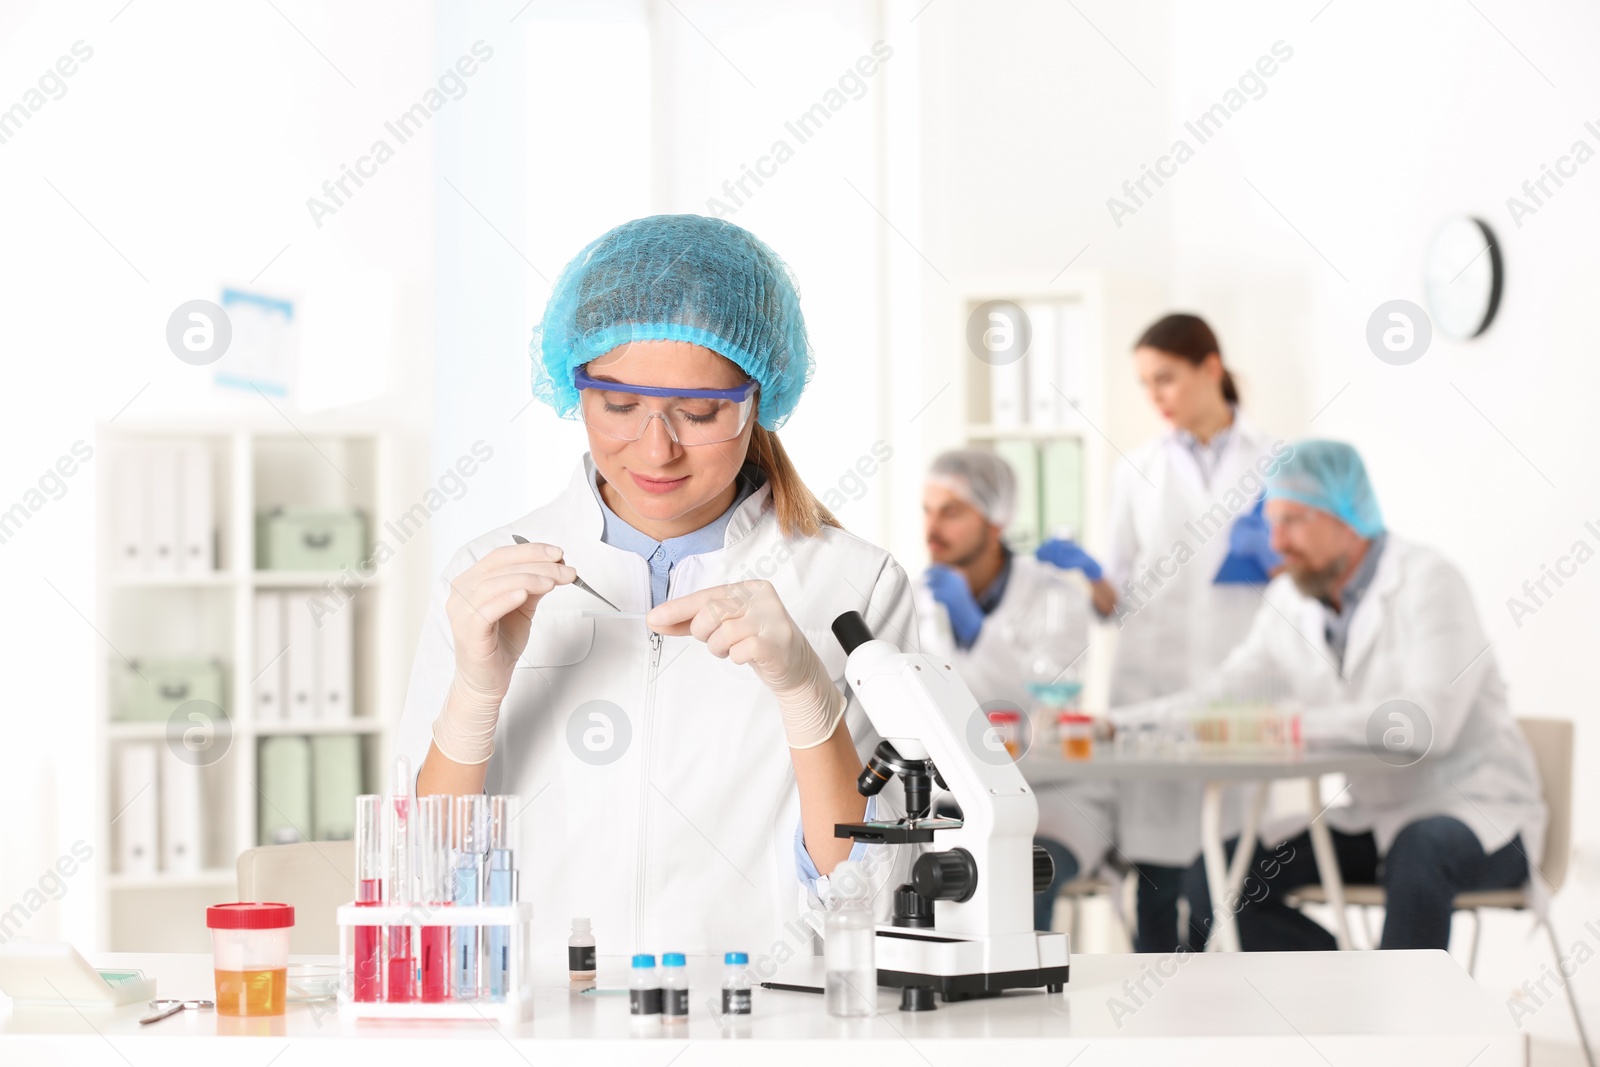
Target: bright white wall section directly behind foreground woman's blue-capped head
[[564, 153]]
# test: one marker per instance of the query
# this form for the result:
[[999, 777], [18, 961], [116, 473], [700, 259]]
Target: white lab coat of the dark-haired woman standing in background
[[1169, 538]]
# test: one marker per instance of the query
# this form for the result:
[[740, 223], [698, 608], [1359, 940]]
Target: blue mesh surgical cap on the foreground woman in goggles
[[678, 278]]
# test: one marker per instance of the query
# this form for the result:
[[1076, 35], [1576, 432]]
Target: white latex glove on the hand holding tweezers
[[490, 612]]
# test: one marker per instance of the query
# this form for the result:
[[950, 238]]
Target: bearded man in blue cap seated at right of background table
[[1380, 642]]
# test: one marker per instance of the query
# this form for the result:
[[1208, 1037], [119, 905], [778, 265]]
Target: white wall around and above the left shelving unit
[[186, 146]]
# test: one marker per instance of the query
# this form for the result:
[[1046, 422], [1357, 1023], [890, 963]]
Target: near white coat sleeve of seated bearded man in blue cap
[[1444, 668]]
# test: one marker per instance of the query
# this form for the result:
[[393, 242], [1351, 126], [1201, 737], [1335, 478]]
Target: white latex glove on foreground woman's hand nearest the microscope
[[750, 625]]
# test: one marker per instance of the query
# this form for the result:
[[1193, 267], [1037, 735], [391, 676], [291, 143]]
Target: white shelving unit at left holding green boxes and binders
[[255, 468]]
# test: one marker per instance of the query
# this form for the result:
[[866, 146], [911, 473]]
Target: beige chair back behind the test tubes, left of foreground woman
[[316, 877]]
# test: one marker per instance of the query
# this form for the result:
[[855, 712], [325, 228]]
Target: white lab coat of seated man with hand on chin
[[1078, 815]]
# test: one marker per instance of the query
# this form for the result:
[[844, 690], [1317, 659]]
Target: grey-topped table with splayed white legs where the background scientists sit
[[1218, 769]]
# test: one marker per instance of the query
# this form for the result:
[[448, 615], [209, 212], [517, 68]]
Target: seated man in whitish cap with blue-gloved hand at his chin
[[1006, 620]]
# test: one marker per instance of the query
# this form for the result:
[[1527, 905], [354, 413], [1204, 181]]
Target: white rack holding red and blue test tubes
[[516, 1007]]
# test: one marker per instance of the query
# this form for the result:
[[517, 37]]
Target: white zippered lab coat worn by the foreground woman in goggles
[[687, 841]]
